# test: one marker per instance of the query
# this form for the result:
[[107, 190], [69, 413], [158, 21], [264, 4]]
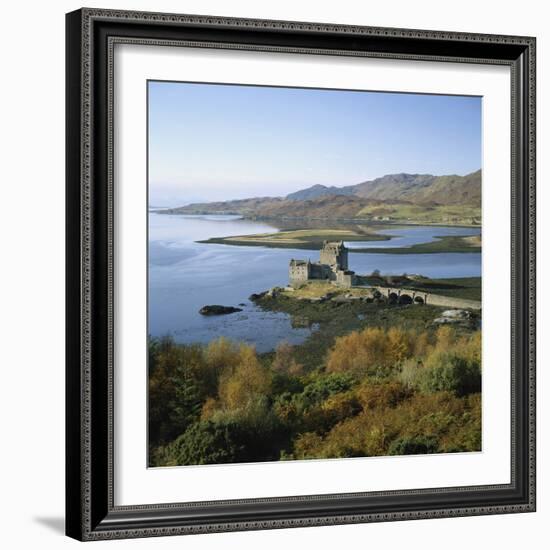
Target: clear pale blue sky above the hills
[[218, 142]]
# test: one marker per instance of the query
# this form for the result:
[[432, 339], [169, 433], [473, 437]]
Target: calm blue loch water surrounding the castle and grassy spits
[[185, 275]]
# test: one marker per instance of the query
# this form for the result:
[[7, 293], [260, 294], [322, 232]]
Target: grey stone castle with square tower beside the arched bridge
[[333, 266]]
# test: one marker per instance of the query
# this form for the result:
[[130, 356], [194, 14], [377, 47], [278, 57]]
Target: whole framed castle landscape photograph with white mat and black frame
[[300, 274]]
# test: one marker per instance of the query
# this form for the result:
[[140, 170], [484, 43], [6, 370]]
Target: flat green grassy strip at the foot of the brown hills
[[424, 214]]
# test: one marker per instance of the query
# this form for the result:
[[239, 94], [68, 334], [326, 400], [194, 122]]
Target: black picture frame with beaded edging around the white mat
[[90, 510]]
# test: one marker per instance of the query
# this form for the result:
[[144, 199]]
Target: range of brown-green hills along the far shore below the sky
[[395, 197]]
